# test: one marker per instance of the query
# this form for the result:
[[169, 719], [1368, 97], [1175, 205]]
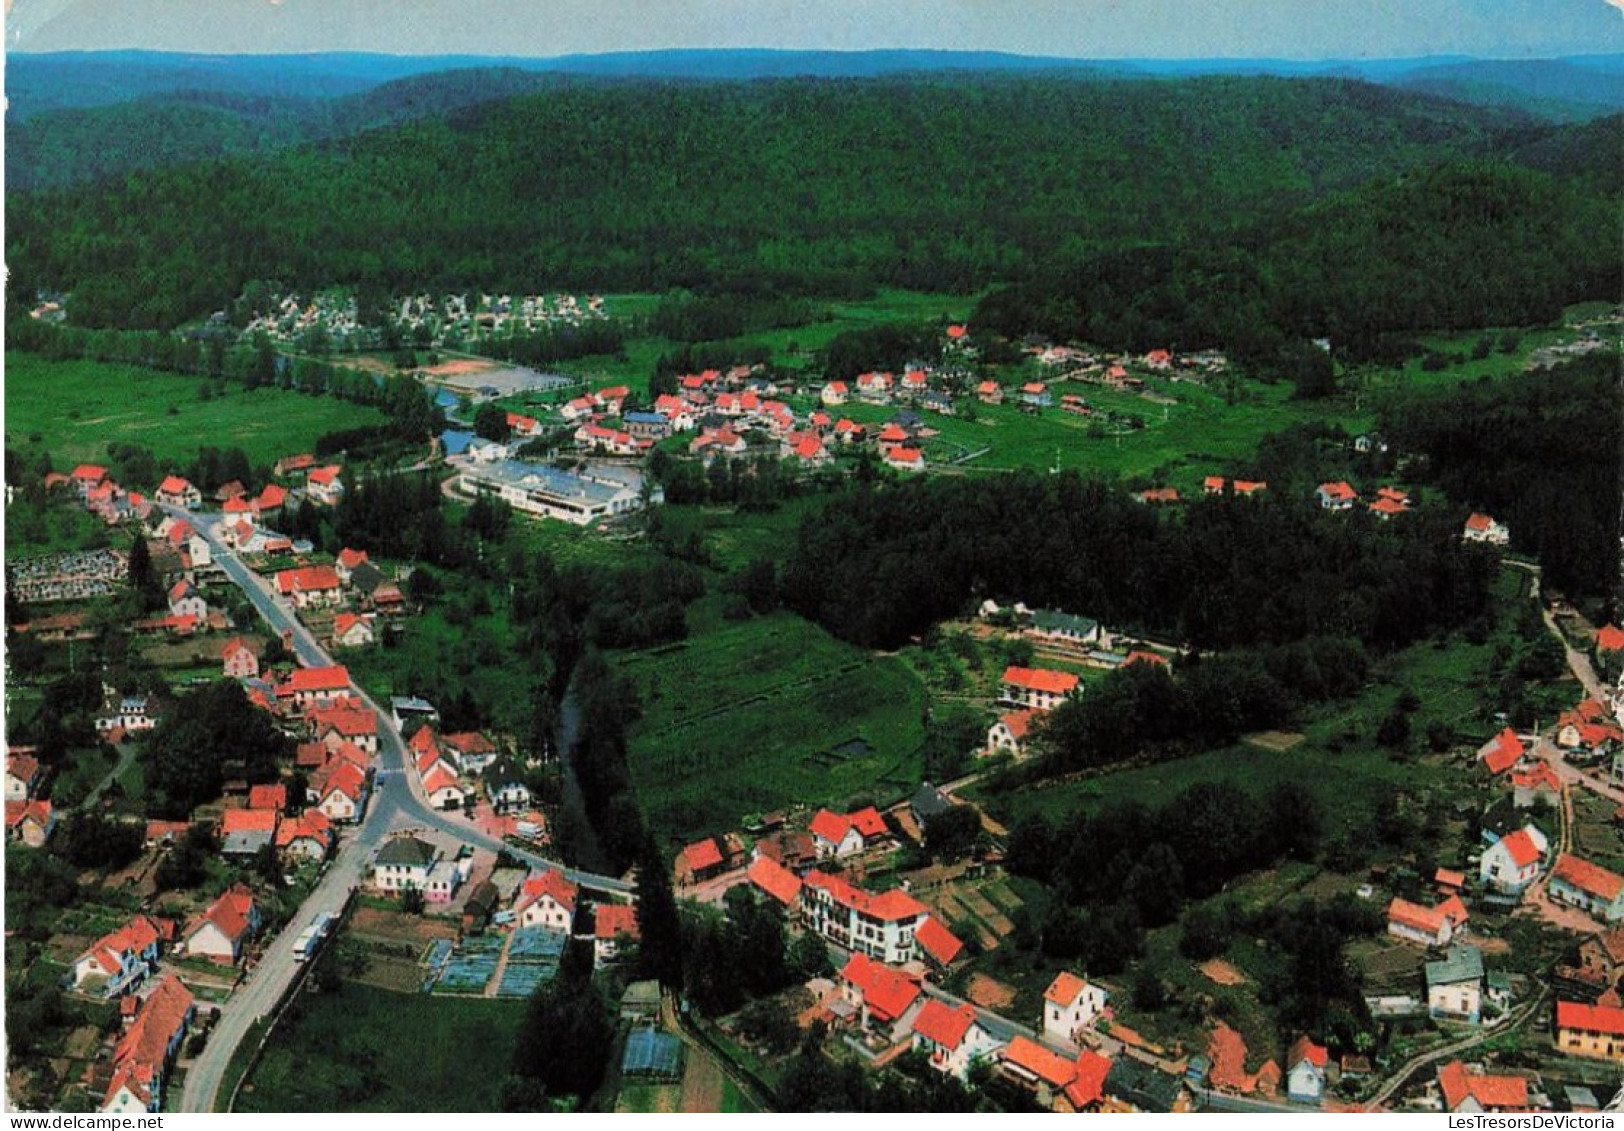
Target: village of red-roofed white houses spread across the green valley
[[160, 964]]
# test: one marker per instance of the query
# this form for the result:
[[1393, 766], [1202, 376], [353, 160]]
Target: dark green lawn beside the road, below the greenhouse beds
[[374, 1051]]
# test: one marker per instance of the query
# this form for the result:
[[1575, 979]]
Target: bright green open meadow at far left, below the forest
[[76, 409]]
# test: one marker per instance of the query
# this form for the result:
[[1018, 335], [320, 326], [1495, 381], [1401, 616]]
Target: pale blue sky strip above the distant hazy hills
[[1073, 28]]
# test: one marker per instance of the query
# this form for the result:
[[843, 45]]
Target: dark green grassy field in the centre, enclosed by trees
[[749, 717]]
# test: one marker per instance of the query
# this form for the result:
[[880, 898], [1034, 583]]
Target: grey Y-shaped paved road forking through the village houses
[[397, 804]]
